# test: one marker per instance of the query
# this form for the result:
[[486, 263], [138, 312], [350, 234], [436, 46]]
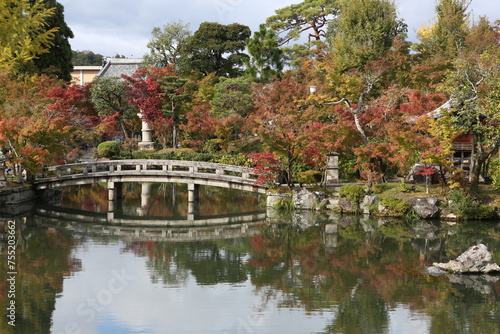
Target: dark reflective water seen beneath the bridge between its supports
[[167, 200]]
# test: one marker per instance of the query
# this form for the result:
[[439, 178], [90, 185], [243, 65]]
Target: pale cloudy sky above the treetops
[[124, 27]]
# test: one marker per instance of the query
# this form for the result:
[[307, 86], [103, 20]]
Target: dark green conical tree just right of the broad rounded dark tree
[[266, 58]]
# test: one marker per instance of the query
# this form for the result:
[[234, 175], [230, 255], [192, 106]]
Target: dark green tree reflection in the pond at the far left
[[43, 259]]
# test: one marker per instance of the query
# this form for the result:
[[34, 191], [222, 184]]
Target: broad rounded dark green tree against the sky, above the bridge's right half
[[215, 47]]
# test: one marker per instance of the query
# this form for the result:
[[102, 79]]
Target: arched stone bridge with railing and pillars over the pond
[[194, 173]]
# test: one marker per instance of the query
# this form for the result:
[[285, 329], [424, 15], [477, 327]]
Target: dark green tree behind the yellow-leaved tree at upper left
[[57, 61]]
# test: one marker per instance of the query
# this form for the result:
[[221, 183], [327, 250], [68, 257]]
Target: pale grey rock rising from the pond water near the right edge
[[476, 260]]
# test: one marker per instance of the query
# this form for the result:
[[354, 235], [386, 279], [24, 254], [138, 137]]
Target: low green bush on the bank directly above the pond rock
[[465, 206]]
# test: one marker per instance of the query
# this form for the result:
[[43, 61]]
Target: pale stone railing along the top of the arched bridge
[[185, 168]]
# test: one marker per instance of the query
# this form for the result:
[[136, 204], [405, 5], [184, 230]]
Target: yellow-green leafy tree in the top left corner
[[23, 31]]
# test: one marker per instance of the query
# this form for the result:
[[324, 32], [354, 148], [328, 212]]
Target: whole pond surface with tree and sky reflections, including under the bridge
[[299, 273]]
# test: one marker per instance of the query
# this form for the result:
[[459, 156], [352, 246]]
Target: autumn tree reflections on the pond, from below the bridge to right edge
[[370, 268]]
